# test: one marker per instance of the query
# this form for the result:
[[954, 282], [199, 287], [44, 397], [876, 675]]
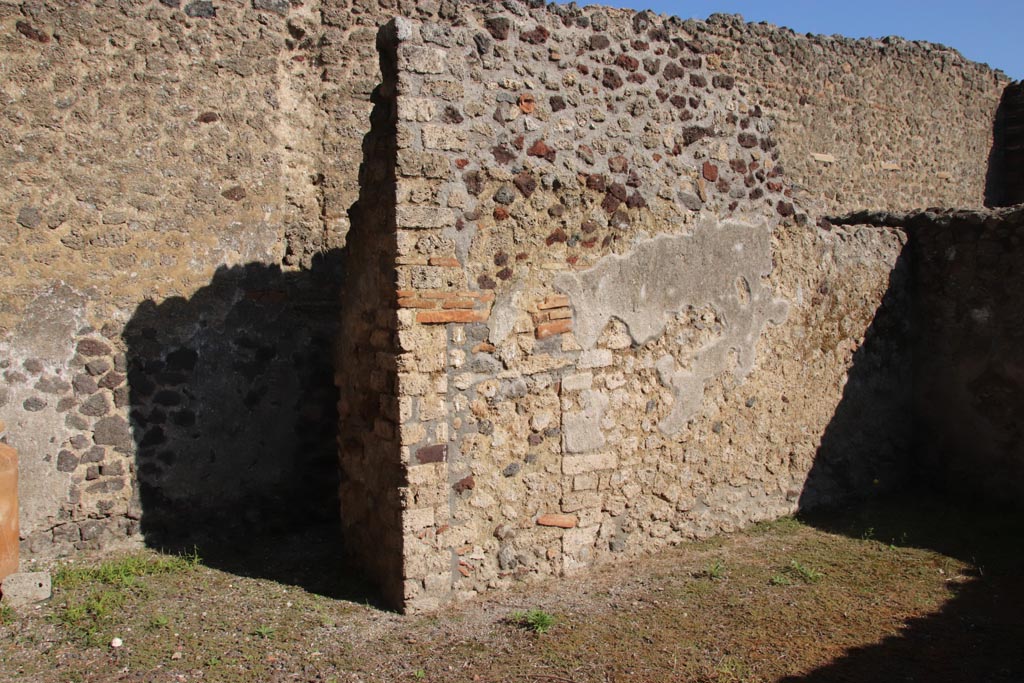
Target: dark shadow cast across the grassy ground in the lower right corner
[[978, 636]]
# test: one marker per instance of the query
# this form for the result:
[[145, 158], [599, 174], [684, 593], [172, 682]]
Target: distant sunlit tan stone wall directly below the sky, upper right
[[885, 124]]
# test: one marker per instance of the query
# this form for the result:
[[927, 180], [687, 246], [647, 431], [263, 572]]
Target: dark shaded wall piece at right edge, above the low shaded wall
[[1004, 178]]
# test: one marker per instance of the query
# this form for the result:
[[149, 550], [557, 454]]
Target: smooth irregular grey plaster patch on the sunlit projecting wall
[[720, 266]]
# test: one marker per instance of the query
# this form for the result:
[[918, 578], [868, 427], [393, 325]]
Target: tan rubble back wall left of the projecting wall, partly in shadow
[[165, 330]]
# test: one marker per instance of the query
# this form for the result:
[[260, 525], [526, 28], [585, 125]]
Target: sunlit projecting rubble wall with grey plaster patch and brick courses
[[621, 331]]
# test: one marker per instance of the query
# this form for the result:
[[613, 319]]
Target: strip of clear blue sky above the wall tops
[[988, 31]]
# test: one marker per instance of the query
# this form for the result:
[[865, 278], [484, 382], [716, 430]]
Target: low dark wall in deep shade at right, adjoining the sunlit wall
[[968, 352]]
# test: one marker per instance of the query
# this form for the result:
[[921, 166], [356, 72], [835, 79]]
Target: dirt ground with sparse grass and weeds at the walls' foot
[[909, 590]]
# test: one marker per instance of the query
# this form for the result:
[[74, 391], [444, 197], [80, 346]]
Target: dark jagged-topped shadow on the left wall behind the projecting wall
[[234, 411]]
